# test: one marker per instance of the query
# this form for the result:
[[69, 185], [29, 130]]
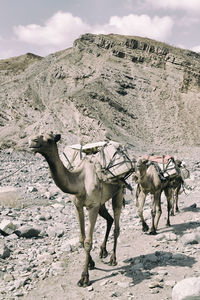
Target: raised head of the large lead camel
[[44, 144]]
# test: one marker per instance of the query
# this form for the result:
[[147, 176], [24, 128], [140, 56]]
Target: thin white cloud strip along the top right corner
[[187, 5]]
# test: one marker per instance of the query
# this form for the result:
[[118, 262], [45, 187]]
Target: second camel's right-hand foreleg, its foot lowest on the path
[[156, 204]]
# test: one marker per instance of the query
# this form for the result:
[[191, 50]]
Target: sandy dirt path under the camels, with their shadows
[[148, 266]]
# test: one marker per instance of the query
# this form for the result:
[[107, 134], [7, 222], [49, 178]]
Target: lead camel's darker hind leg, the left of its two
[[103, 212]]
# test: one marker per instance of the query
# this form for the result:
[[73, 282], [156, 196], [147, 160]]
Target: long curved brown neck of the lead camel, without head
[[67, 181]]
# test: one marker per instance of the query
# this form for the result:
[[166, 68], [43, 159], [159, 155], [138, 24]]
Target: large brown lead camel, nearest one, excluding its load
[[89, 192]]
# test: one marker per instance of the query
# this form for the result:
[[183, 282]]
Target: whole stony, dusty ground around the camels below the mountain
[[48, 267]]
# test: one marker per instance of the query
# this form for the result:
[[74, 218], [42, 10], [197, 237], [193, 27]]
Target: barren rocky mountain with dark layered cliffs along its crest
[[129, 89]]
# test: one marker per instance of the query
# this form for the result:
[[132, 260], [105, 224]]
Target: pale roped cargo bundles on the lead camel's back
[[111, 159]]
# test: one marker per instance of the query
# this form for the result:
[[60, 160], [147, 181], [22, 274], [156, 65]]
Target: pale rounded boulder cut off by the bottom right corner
[[187, 289]]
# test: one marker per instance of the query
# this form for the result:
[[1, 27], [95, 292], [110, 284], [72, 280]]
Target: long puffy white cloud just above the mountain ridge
[[59, 31]]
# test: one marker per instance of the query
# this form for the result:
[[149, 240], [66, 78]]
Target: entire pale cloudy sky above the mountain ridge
[[46, 26]]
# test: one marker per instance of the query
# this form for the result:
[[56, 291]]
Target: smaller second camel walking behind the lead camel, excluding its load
[[149, 182]]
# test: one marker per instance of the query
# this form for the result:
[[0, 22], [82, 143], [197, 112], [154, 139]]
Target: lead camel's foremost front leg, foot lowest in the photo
[[89, 263]]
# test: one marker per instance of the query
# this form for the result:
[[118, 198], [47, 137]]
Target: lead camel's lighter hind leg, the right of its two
[[117, 202]]
